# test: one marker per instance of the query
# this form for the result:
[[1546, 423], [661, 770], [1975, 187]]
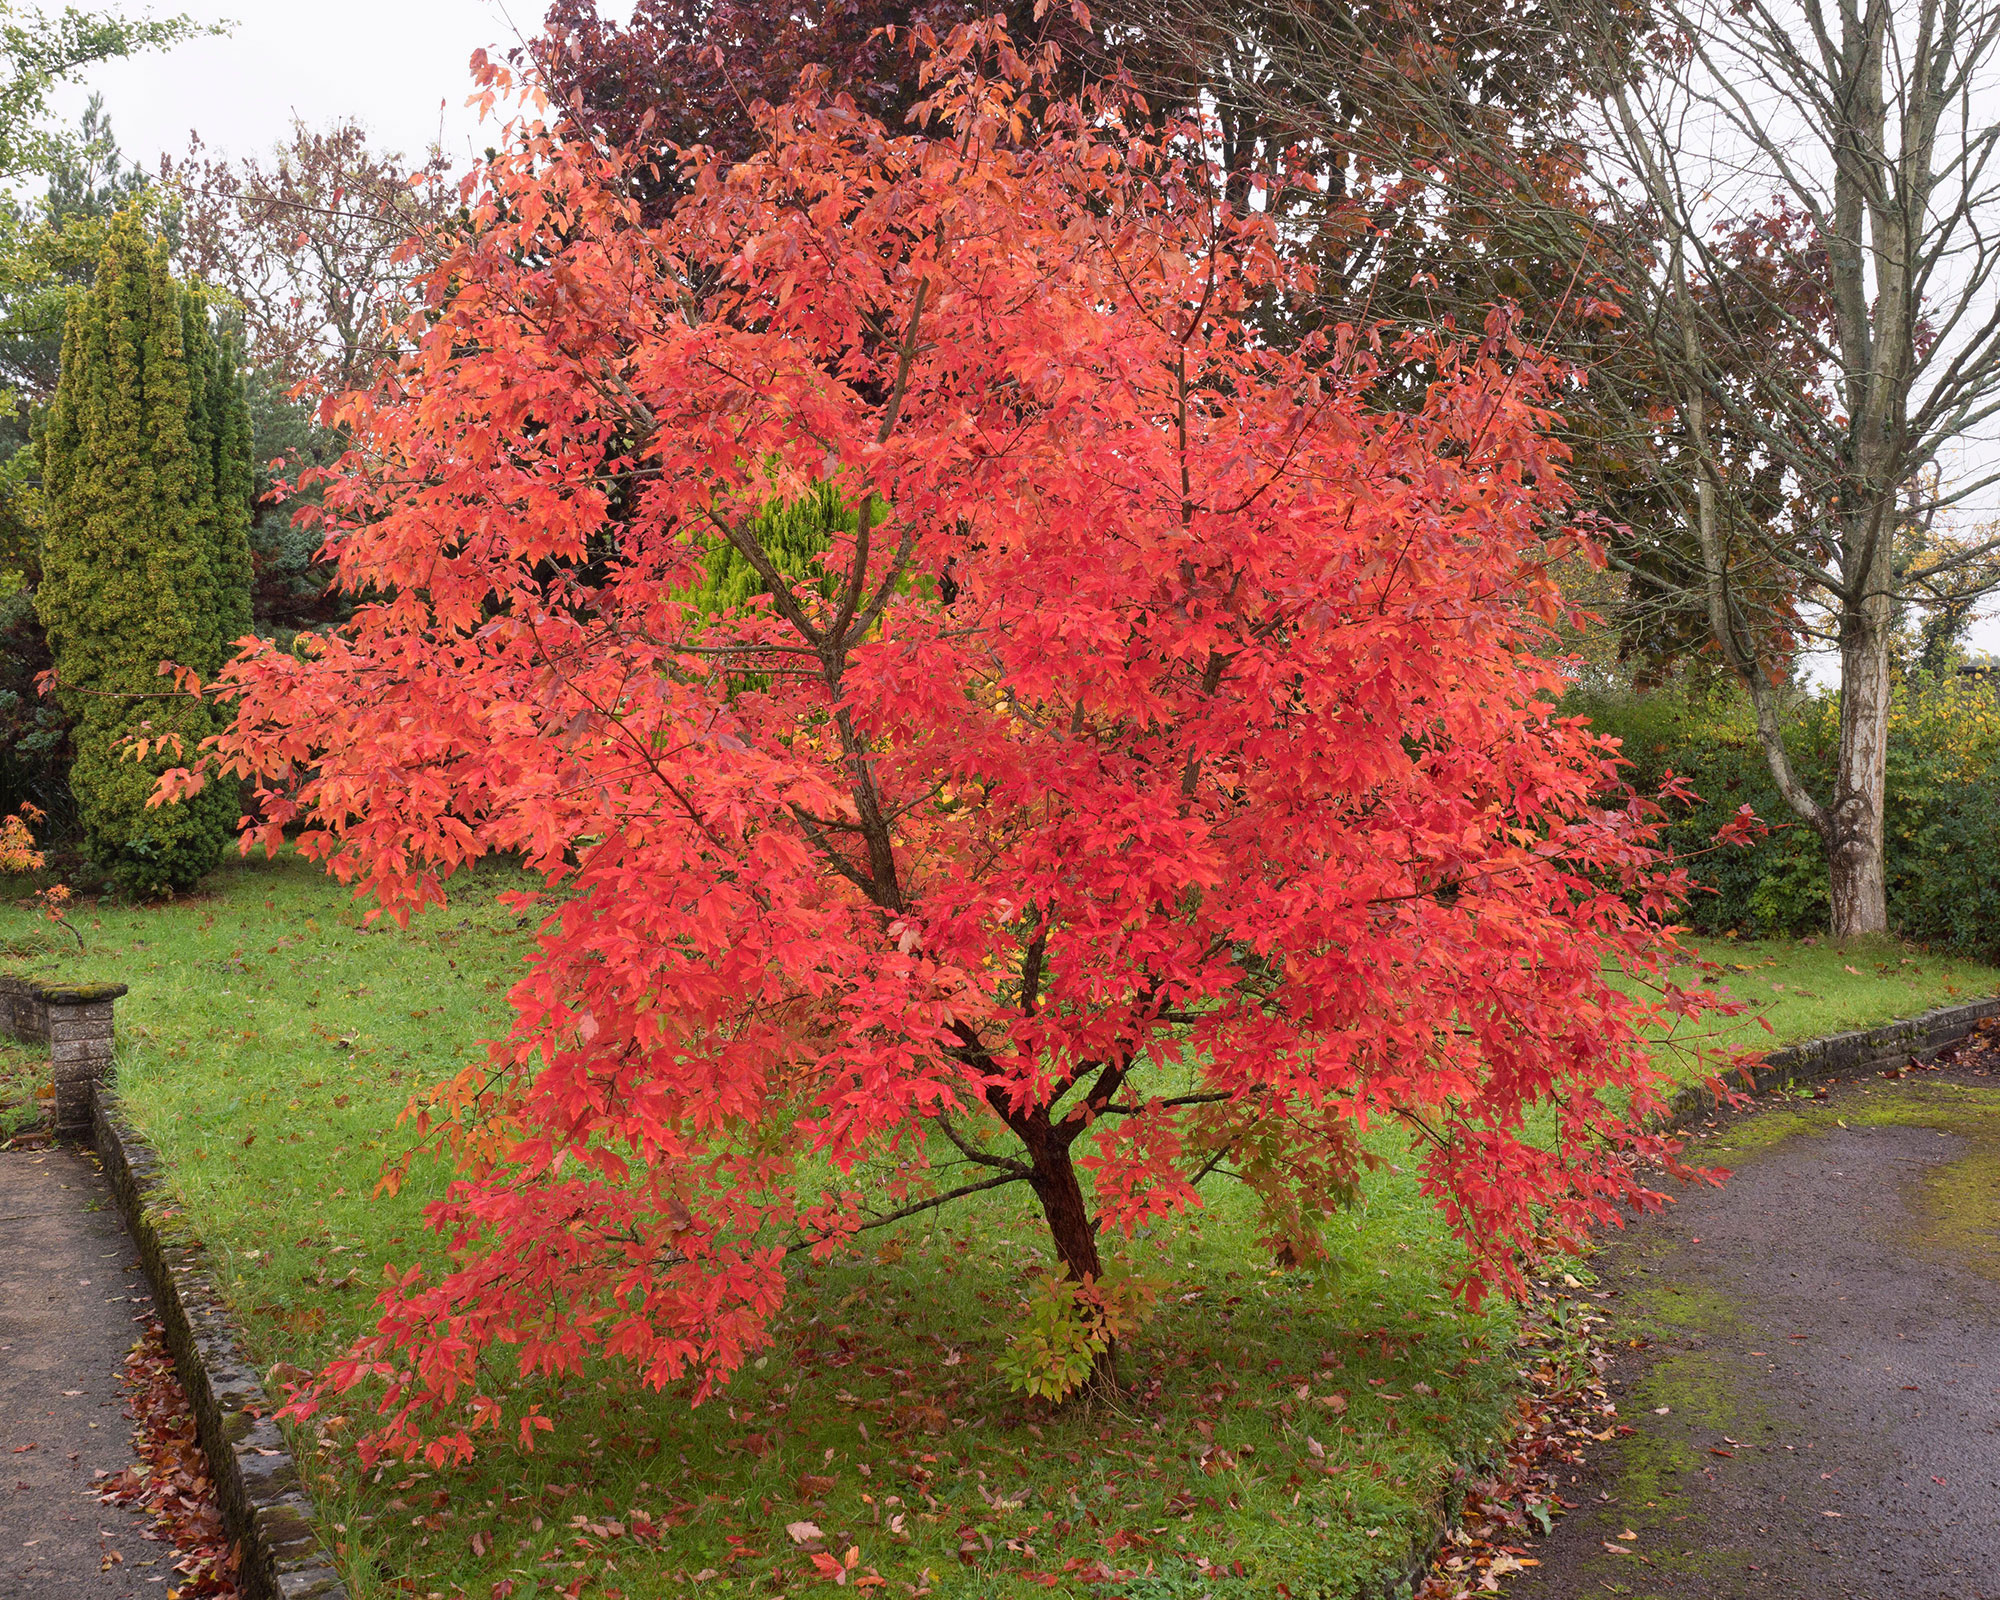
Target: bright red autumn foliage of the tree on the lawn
[[1153, 779]]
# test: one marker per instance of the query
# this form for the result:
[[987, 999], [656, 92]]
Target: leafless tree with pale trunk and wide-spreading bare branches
[[1771, 233]]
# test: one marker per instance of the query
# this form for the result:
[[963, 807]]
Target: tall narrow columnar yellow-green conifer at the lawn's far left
[[145, 561]]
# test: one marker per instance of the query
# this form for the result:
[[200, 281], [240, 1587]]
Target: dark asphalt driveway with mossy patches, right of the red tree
[[1809, 1359]]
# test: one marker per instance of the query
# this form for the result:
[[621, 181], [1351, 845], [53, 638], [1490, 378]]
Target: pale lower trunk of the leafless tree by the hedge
[[1855, 821]]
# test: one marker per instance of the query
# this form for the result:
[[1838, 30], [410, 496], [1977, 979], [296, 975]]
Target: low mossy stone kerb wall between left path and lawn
[[263, 1499]]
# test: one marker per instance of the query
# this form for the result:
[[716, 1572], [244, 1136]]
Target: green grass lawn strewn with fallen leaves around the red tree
[[1275, 1427]]
